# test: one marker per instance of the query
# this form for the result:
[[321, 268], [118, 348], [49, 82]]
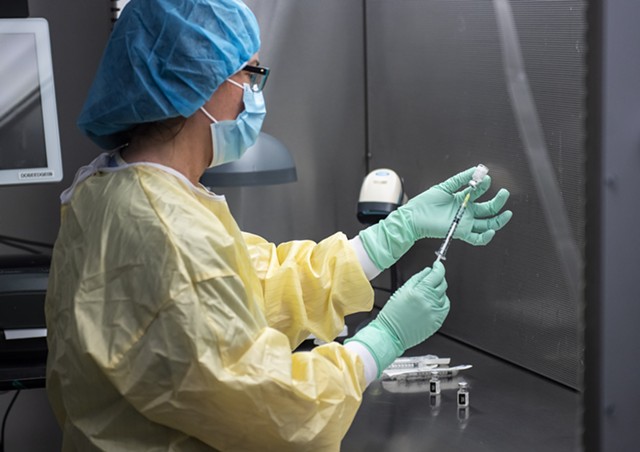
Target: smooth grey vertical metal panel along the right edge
[[613, 263]]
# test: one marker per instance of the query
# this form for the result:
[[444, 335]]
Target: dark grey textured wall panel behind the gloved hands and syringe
[[439, 103]]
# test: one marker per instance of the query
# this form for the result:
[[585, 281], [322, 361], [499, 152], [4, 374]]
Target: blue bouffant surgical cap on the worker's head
[[164, 59]]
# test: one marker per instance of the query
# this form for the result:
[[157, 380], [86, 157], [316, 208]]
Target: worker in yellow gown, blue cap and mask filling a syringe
[[169, 328]]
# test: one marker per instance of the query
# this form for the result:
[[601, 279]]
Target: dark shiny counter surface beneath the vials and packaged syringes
[[511, 409]]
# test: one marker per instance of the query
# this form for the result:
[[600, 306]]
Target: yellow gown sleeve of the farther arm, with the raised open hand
[[309, 287]]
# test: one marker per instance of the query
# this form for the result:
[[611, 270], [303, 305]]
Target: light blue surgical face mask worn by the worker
[[232, 138]]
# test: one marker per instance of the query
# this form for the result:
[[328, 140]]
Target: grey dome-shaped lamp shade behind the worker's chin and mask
[[267, 162]]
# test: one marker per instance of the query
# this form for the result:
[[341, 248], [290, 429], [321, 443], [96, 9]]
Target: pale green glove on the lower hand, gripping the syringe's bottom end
[[412, 314]]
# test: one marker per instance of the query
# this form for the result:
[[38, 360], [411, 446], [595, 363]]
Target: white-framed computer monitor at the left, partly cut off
[[29, 139]]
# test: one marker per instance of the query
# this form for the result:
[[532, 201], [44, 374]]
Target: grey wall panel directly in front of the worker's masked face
[[315, 105]]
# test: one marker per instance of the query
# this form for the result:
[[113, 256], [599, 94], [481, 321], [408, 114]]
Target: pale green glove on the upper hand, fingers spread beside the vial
[[430, 215]]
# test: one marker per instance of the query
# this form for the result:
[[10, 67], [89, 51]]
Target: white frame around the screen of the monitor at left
[[39, 27]]
